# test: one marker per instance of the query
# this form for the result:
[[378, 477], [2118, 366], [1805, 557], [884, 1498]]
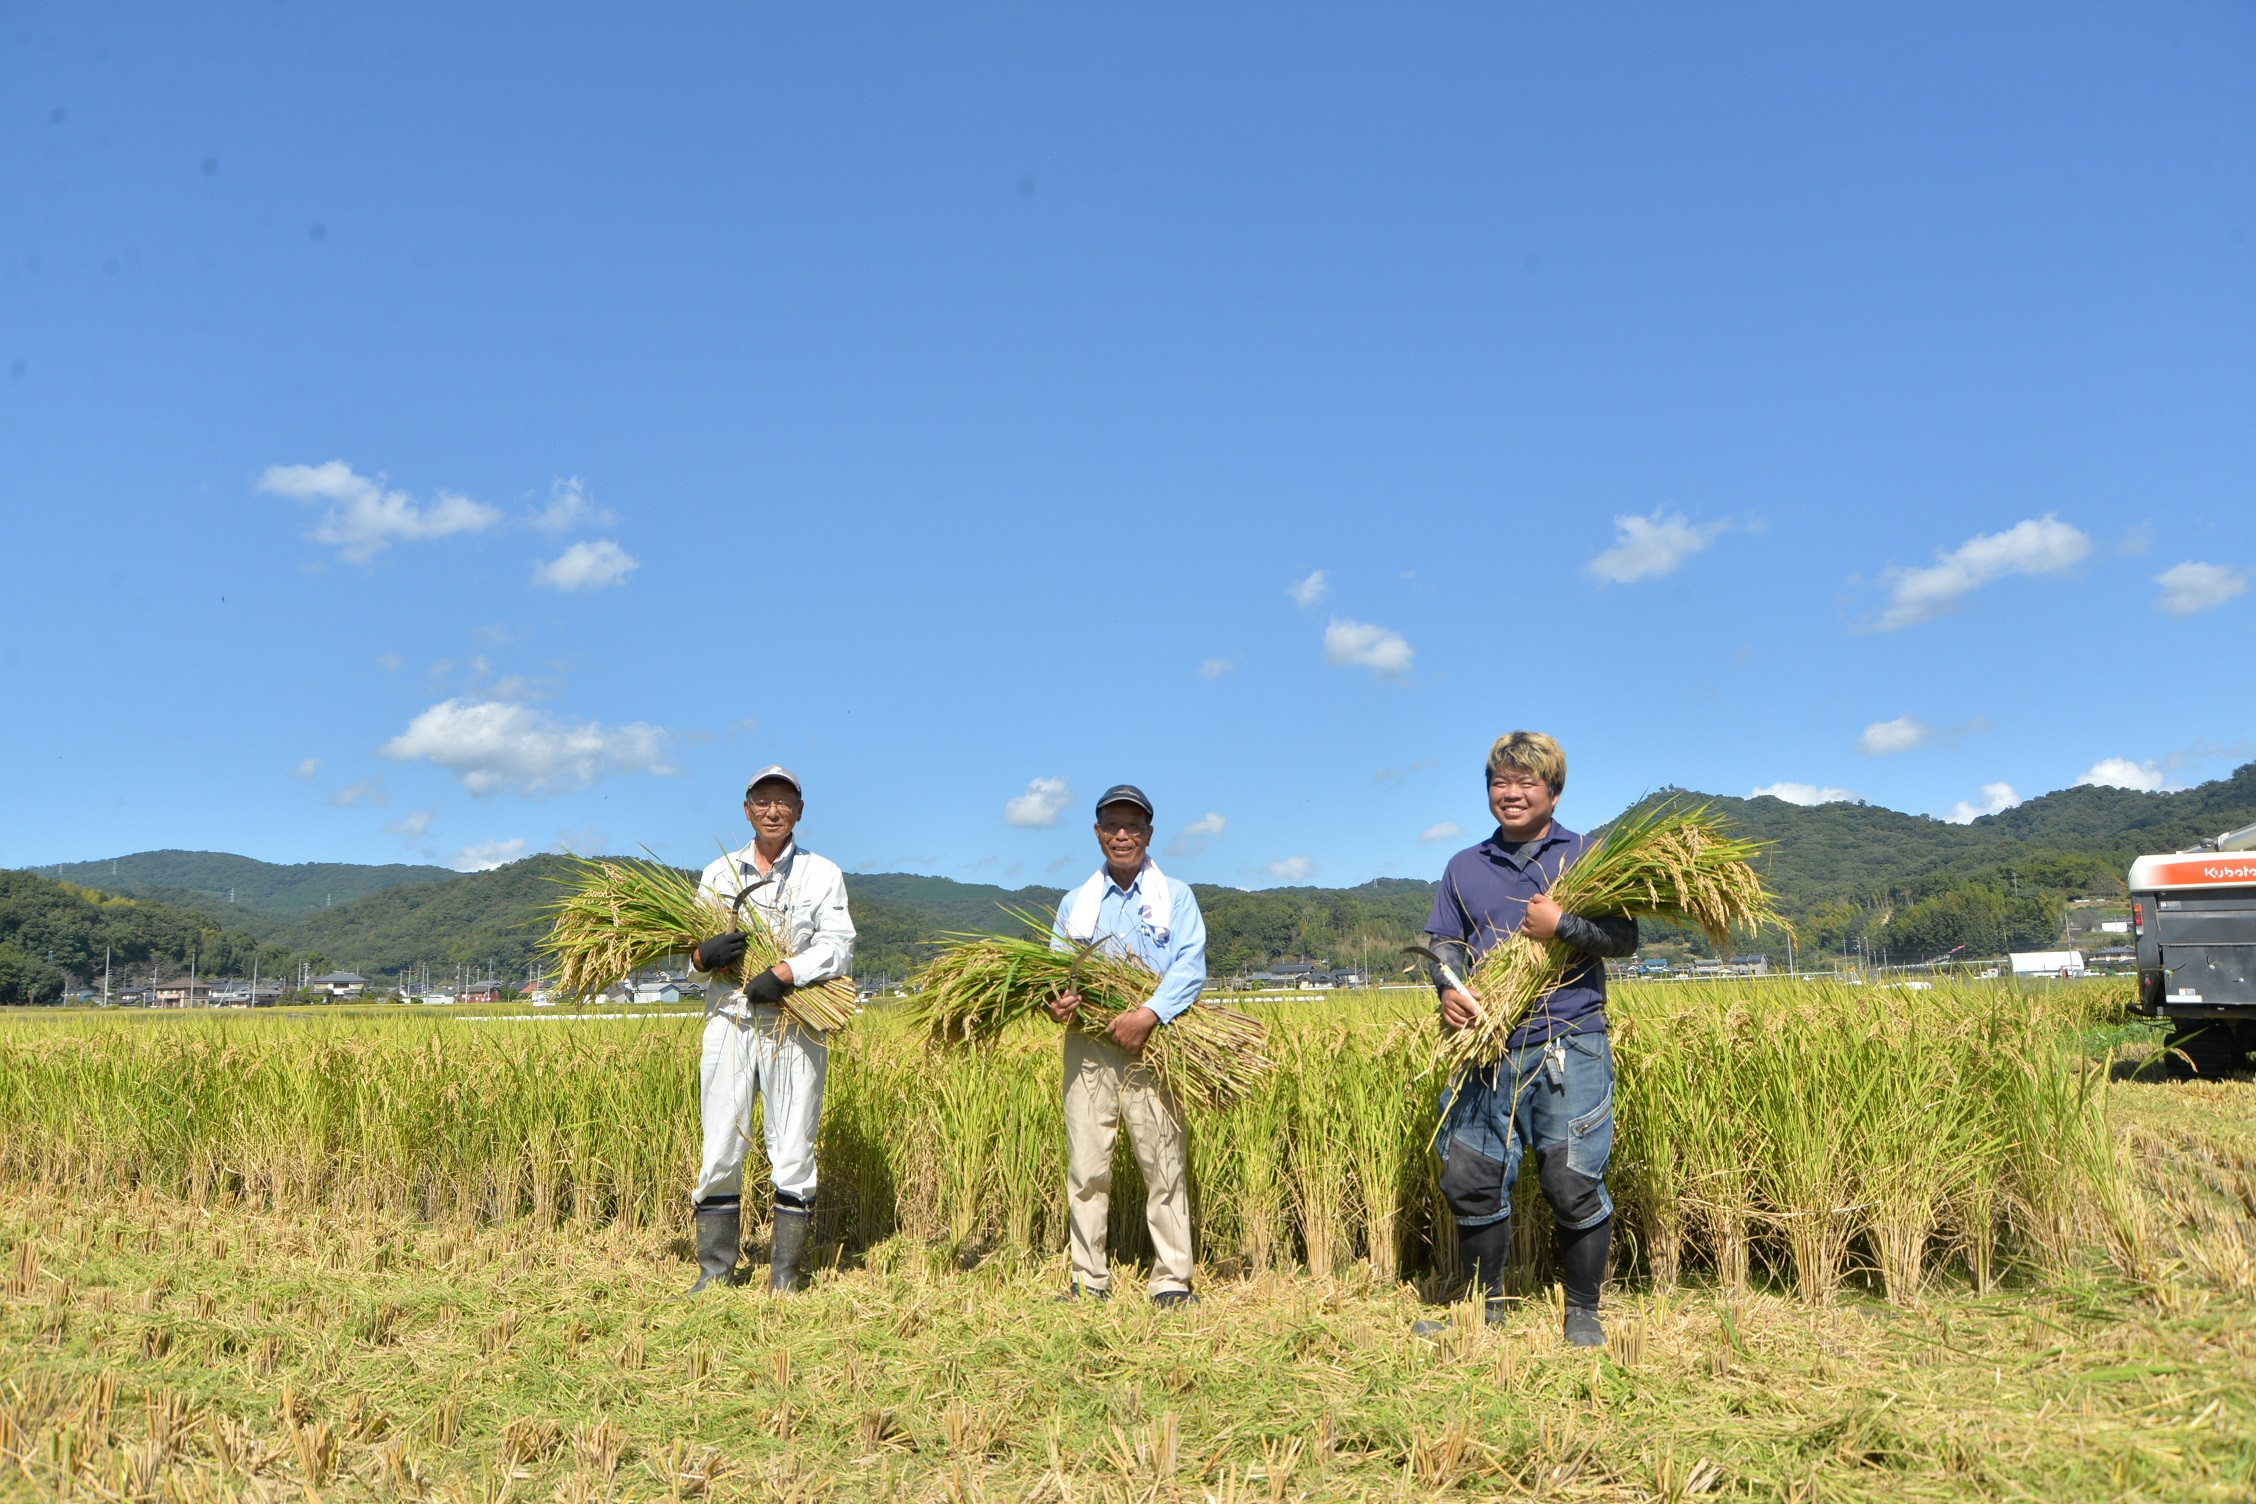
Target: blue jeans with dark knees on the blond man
[[1549, 1097]]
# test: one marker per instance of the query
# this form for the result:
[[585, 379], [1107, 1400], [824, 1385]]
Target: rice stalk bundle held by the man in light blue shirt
[[978, 987]]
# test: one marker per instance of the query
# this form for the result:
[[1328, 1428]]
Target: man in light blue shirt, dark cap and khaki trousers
[[1136, 910]]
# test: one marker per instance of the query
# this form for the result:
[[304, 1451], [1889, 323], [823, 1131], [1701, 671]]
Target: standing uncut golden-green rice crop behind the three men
[[1722, 1171]]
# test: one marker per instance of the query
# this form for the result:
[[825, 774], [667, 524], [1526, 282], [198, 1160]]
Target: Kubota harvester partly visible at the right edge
[[2196, 921]]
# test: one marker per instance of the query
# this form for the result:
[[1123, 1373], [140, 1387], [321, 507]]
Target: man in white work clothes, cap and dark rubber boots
[[750, 1047]]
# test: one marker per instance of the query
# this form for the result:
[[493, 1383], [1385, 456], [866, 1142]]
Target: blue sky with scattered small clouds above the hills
[[450, 432]]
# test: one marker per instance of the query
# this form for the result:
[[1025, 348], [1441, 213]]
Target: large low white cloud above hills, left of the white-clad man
[[495, 745]]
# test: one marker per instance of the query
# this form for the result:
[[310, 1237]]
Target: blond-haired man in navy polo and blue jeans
[[1553, 1090]]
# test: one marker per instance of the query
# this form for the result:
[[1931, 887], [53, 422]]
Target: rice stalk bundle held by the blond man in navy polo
[[1662, 862]]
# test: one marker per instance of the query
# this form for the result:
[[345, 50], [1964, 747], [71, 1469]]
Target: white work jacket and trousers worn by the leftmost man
[[755, 1050]]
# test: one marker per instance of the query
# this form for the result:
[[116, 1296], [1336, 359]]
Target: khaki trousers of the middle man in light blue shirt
[[1102, 1088]]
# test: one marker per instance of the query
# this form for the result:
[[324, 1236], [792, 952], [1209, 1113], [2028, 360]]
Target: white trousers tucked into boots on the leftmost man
[[748, 1056]]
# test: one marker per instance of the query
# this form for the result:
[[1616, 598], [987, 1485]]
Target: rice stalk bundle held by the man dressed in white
[[622, 917]]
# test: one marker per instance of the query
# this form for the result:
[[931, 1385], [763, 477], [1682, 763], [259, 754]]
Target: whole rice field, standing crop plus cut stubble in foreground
[[1871, 1246]]
